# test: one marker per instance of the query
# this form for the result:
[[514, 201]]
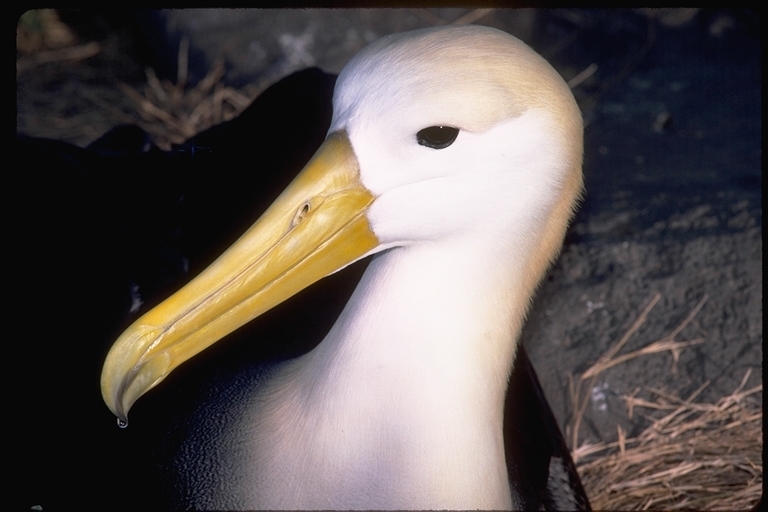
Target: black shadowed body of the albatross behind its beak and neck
[[126, 214]]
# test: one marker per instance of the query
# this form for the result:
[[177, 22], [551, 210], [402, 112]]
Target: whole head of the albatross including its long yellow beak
[[443, 135]]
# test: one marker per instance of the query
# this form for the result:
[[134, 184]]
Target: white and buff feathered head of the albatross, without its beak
[[513, 173]]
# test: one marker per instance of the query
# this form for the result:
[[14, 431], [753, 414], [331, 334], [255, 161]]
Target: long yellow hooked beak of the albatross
[[317, 226]]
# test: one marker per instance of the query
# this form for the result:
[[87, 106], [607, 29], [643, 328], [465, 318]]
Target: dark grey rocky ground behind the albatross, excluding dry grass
[[673, 206]]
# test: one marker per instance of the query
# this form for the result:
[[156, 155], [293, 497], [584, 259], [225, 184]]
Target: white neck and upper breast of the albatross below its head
[[402, 404]]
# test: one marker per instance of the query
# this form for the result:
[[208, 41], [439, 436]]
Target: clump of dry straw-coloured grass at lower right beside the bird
[[698, 456]]
